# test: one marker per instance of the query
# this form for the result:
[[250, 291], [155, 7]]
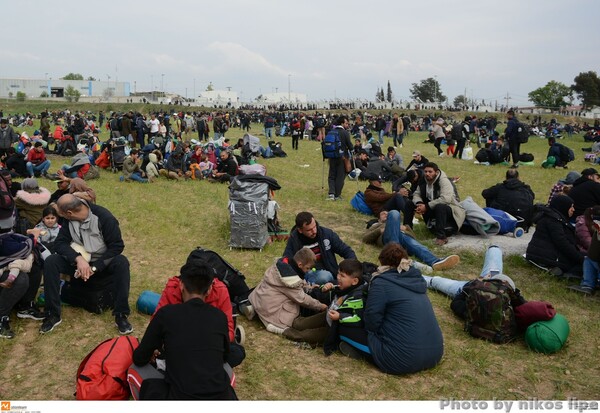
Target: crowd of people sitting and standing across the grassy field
[[306, 295]]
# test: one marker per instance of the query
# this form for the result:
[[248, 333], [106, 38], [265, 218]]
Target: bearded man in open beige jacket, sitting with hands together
[[436, 200]]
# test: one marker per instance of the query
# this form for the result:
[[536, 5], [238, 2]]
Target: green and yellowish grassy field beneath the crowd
[[164, 221]]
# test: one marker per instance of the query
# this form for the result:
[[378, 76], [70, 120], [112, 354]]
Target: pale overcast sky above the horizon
[[324, 49]]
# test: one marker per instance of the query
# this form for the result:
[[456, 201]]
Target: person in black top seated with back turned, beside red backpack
[[193, 339]]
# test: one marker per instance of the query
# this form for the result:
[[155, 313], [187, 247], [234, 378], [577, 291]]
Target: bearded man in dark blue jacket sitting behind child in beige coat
[[324, 242]]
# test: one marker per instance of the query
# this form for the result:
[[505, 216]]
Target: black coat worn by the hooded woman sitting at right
[[553, 243]]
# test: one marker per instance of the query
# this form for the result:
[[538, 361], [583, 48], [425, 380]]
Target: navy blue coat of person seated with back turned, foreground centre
[[403, 332]]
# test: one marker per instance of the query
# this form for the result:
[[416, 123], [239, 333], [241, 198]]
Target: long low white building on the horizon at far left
[[34, 88]]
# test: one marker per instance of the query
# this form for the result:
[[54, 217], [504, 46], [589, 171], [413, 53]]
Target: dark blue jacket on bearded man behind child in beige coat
[[329, 242]]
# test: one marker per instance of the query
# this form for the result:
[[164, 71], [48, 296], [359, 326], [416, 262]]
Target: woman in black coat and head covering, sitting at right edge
[[554, 244]]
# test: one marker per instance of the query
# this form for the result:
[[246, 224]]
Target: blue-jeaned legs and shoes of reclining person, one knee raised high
[[388, 229]]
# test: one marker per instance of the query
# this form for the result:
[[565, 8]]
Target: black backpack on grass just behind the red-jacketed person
[[231, 277]]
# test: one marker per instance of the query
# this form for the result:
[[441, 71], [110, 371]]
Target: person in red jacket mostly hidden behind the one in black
[[218, 297]]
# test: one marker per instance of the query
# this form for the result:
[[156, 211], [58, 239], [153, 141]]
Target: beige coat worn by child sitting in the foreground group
[[277, 299]]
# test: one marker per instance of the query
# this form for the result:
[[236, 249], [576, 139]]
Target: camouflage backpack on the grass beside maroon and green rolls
[[490, 314]]
